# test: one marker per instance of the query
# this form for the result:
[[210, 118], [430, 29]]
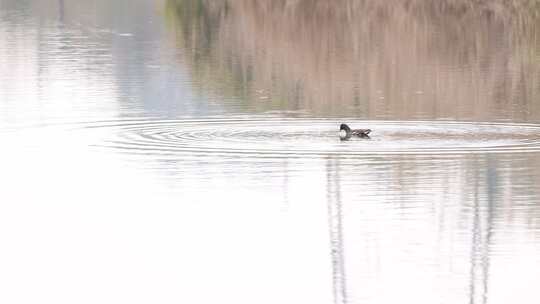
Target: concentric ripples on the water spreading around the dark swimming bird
[[318, 138]]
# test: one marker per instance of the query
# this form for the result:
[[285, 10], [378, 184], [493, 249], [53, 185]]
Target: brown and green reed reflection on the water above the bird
[[376, 59]]
